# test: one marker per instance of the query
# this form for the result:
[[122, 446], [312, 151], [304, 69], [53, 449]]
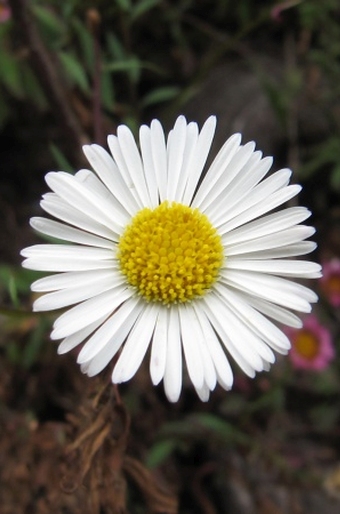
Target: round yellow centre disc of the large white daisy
[[171, 253]]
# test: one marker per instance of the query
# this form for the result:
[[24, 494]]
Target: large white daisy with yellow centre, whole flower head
[[160, 255]]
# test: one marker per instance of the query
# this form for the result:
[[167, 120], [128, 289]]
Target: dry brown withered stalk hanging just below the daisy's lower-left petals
[[96, 458]]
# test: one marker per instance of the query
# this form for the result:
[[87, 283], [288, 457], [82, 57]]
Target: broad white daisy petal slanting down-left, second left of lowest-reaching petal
[[136, 345]]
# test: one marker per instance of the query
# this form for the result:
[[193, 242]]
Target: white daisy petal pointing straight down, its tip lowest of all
[[173, 369]]
